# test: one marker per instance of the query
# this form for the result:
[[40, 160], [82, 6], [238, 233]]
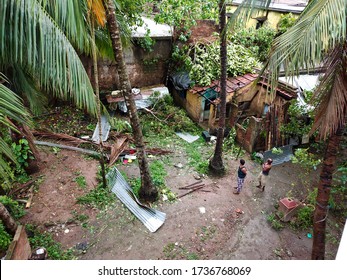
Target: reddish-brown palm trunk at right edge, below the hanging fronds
[[322, 201]]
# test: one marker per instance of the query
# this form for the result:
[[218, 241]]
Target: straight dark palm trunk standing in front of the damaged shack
[[216, 165]]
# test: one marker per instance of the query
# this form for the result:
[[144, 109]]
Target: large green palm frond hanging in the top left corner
[[30, 39]]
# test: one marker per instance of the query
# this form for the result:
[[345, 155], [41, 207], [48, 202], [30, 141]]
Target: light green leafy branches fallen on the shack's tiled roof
[[206, 62]]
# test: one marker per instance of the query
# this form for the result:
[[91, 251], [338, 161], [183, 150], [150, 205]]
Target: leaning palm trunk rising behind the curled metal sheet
[[148, 191]]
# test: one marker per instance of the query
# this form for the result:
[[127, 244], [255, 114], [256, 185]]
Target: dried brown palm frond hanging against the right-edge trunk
[[331, 94]]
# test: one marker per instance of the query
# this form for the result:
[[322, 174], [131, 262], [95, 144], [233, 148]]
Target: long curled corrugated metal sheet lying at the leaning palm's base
[[151, 218]]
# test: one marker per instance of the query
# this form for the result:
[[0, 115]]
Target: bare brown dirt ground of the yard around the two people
[[232, 226]]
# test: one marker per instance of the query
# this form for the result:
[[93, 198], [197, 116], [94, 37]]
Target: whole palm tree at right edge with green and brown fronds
[[319, 36]]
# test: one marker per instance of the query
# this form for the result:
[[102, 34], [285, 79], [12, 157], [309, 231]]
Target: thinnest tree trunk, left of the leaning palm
[[97, 97]]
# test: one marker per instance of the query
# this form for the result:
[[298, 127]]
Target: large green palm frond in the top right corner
[[319, 29]]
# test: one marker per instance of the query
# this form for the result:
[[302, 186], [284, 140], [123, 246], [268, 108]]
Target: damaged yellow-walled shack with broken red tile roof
[[256, 114]]
